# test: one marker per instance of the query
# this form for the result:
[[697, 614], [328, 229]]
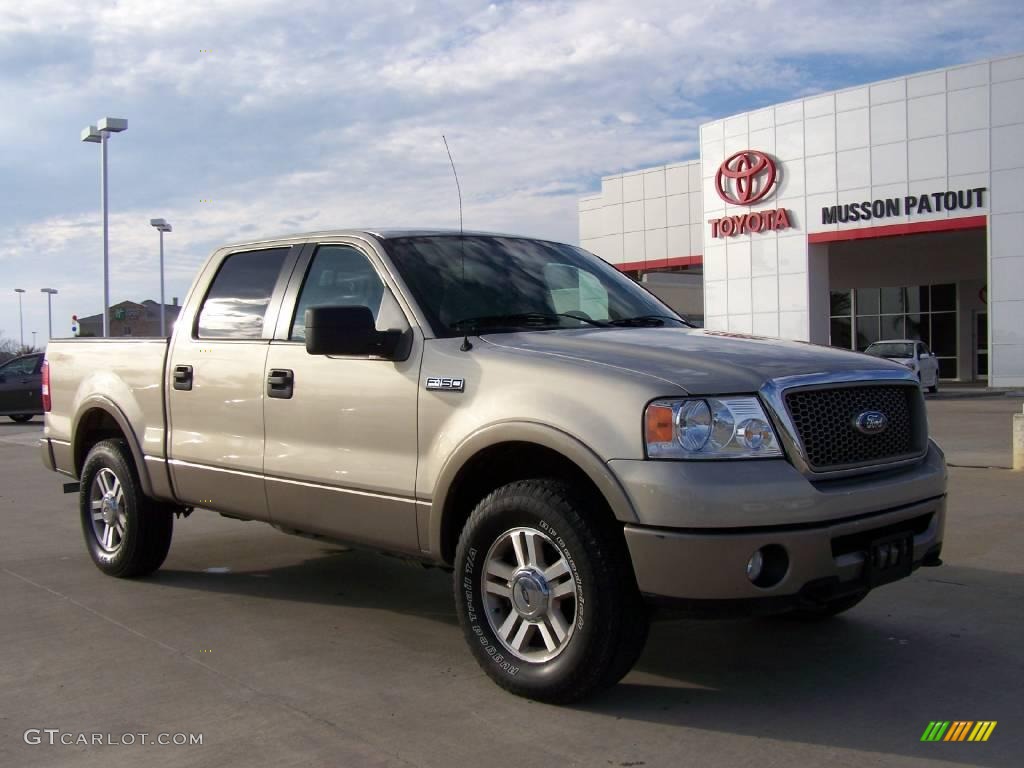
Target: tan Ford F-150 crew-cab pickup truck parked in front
[[514, 410]]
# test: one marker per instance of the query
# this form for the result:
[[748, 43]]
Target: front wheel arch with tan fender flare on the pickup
[[507, 452]]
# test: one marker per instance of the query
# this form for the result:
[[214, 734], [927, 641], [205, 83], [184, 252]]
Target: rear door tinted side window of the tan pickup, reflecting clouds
[[237, 304]]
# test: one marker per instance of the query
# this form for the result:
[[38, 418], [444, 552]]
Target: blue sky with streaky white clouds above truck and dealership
[[253, 118]]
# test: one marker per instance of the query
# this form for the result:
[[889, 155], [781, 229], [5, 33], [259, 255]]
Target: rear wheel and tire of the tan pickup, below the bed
[[126, 533]]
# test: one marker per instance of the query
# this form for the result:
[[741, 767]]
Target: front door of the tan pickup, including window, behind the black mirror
[[342, 445]]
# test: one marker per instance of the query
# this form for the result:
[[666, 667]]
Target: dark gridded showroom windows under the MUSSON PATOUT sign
[[864, 316]]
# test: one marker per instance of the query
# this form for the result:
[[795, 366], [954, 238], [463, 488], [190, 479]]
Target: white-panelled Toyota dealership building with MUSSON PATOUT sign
[[885, 211]]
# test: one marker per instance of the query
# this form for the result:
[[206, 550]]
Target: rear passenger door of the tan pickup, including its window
[[216, 381]]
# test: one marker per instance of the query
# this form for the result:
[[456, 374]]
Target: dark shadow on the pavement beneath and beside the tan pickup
[[872, 680]]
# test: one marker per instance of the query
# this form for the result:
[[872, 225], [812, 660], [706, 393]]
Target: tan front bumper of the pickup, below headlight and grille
[[825, 529]]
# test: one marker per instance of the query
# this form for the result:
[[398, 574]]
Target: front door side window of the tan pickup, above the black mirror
[[343, 276]]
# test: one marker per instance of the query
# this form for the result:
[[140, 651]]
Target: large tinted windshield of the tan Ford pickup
[[511, 284]]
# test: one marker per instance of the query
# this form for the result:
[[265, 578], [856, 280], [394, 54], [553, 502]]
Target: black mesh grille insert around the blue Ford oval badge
[[825, 421]]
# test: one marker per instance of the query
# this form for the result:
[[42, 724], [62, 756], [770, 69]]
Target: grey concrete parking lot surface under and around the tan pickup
[[285, 652]]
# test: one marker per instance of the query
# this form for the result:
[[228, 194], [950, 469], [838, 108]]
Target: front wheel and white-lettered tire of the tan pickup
[[547, 598]]
